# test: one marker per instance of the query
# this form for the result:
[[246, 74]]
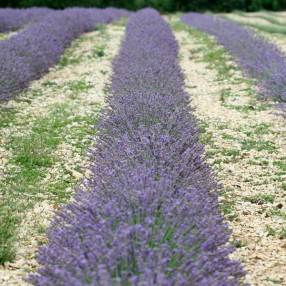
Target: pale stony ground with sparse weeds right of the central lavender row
[[245, 144]]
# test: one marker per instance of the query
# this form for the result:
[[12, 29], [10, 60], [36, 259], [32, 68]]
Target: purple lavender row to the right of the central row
[[258, 58]]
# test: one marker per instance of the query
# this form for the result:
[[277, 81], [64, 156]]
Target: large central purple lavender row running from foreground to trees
[[150, 215]]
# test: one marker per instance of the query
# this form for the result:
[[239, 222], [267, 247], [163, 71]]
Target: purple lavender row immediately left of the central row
[[29, 54]]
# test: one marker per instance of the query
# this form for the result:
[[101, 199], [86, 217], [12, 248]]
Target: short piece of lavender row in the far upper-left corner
[[14, 19]]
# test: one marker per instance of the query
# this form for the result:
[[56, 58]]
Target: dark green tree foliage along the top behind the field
[[162, 5]]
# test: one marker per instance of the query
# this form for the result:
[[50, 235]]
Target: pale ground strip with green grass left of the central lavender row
[[47, 130]]
